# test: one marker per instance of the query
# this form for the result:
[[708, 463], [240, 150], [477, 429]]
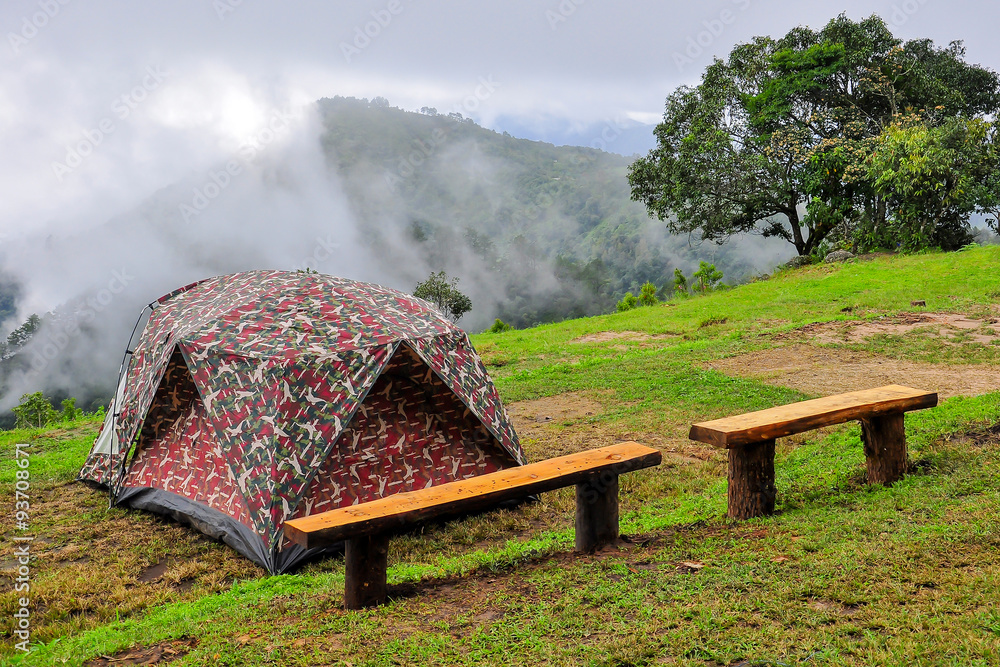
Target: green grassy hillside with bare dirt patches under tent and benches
[[842, 574]]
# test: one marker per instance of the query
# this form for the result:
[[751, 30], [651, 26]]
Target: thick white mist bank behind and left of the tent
[[269, 204]]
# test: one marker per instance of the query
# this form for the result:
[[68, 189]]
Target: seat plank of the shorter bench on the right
[[786, 420]]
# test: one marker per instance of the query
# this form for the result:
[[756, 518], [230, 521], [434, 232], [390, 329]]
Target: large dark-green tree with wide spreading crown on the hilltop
[[778, 138]]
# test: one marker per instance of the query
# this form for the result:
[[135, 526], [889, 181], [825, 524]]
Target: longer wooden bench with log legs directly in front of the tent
[[366, 527]]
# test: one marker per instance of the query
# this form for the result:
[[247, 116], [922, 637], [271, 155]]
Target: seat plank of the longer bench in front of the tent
[[467, 495]]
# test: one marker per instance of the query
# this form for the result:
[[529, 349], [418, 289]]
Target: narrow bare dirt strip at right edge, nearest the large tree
[[944, 325]]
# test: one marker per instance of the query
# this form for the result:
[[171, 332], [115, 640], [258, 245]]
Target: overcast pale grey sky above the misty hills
[[200, 76]]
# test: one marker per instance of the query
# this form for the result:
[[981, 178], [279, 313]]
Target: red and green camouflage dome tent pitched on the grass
[[261, 396]]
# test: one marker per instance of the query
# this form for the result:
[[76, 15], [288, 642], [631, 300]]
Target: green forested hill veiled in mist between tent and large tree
[[543, 232]]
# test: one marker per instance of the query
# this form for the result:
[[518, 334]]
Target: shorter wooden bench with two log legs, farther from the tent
[[750, 439]]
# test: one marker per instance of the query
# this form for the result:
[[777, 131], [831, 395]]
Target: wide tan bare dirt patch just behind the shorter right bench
[[823, 371]]
